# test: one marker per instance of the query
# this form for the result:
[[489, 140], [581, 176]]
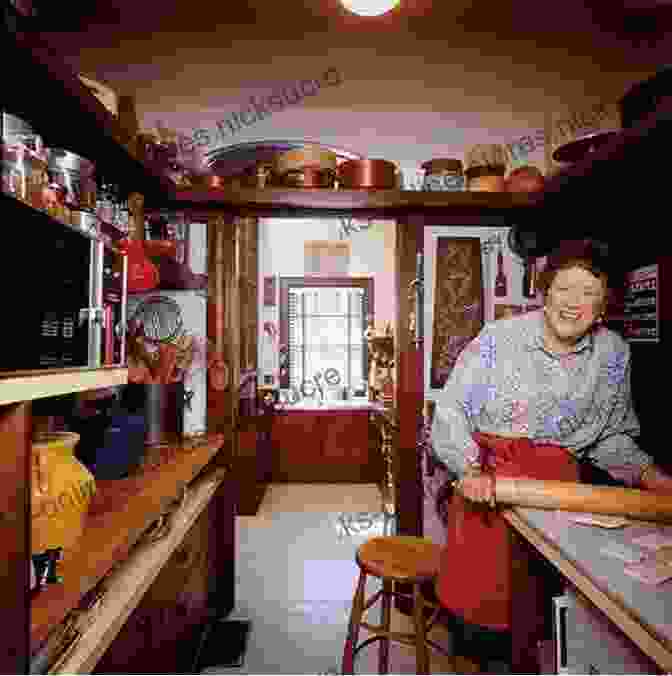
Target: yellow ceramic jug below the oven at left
[[61, 492]]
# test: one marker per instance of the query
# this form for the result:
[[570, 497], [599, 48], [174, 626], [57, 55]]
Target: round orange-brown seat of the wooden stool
[[402, 558]]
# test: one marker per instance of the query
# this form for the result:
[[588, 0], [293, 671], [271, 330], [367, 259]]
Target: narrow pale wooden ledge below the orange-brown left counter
[[125, 587]]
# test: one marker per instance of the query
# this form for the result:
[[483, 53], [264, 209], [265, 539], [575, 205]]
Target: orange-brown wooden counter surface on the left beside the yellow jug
[[121, 511]]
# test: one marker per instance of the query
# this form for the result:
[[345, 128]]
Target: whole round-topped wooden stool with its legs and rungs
[[401, 559]]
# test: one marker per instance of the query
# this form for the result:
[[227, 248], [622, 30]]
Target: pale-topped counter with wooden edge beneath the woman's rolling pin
[[642, 612]]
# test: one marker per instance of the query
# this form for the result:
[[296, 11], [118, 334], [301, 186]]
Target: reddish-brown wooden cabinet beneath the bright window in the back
[[329, 446]]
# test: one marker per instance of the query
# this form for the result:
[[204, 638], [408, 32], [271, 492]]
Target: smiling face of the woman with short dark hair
[[574, 301]]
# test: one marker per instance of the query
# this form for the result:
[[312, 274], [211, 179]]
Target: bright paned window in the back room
[[322, 323]]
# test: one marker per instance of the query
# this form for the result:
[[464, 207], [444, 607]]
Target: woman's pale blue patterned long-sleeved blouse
[[506, 382]]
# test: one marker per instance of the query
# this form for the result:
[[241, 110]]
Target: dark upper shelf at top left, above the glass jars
[[42, 90]]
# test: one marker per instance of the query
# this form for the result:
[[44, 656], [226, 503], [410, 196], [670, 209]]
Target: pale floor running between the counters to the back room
[[296, 575]]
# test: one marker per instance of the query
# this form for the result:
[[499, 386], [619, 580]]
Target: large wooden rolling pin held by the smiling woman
[[574, 497]]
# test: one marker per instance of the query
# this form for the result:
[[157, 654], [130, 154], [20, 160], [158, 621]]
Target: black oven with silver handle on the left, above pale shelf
[[65, 297]]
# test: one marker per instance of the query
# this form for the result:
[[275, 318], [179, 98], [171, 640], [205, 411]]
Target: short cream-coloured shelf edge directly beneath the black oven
[[28, 385]]
